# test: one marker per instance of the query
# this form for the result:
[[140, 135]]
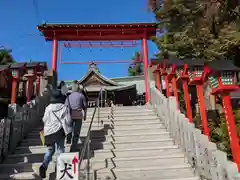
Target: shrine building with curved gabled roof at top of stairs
[[122, 90]]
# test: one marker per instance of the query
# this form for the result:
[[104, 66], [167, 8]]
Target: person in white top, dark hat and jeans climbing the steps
[[57, 124]]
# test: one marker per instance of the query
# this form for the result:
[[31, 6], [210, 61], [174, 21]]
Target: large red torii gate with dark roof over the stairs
[[100, 32]]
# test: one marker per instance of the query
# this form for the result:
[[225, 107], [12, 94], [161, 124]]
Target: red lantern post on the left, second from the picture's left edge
[[18, 70]]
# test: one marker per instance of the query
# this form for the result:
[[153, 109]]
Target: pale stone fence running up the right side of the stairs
[[204, 157]]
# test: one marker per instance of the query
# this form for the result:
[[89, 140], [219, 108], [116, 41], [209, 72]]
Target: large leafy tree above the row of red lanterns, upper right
[[202, 29]]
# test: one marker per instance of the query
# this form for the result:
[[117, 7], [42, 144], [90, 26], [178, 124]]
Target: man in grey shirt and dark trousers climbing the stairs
[[78, 108]]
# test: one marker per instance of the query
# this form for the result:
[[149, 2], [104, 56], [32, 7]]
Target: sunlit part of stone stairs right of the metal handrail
[[137, 146]]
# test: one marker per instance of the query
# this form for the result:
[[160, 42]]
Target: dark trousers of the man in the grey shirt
[[75, 135]]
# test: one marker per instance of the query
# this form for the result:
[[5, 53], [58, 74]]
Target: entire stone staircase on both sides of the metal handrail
[[133, 145]]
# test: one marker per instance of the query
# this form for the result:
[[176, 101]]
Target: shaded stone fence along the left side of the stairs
[[20, 121]]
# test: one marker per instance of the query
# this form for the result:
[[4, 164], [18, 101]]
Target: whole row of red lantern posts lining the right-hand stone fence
[[197, 73]]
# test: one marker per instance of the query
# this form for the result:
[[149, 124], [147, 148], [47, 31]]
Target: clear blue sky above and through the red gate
[[21, 17]]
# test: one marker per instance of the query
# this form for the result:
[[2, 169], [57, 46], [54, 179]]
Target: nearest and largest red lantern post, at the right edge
[[223, 79]]
